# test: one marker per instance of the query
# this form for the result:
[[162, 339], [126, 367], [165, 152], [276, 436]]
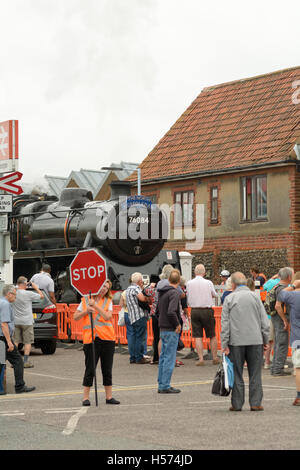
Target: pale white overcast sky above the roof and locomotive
[[99, 81]]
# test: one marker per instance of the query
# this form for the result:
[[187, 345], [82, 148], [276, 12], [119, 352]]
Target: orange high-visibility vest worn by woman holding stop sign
[[102, 328]]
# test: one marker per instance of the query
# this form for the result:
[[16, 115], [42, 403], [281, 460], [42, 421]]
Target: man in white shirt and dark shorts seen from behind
[[200, 296]]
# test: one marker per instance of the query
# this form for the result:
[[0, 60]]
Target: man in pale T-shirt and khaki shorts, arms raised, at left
[[23, 317]]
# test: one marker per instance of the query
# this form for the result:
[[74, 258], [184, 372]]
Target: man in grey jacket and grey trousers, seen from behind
[[244, 336]]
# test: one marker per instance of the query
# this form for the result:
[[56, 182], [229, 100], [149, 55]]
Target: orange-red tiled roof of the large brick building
[[235, 124]]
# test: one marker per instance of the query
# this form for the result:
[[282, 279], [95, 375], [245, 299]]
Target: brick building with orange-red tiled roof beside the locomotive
[[236, 150]]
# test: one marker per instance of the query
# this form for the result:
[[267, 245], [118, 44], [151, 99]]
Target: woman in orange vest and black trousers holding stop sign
[[100, 306]]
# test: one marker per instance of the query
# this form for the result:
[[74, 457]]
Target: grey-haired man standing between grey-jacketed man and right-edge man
[[281, 324]]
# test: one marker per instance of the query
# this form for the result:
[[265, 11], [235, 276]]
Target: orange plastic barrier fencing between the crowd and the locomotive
[[68, 328]]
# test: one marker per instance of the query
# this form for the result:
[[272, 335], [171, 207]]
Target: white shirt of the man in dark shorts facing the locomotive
[[200, 293]]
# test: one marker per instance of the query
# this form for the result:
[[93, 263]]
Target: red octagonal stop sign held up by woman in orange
[[88, 272]]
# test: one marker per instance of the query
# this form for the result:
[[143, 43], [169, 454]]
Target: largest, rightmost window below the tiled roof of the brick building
[[254, 198]]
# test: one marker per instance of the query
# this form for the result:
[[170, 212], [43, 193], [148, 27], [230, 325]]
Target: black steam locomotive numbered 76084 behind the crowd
[[129, 231]]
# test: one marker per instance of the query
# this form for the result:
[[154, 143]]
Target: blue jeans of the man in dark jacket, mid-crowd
[[169, 342]]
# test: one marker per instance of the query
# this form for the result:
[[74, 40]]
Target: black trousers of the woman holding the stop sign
[[104, 350]]
